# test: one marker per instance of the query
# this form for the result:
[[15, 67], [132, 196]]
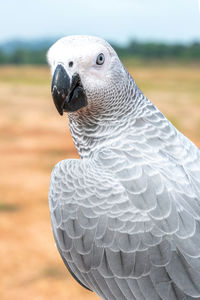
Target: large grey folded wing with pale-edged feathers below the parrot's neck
[[135, 235]]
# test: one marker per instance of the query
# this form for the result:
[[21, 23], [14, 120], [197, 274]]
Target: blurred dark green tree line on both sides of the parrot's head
[[35, 52]]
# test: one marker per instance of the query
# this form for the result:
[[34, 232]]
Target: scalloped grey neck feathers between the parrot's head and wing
[[92, 131]]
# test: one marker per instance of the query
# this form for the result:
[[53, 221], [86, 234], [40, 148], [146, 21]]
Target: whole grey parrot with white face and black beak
[[126, 215]]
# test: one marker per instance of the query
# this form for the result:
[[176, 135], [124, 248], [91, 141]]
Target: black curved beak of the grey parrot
[[68, 95]]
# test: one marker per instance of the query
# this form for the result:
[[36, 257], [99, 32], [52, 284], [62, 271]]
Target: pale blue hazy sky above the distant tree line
[[115, 20]]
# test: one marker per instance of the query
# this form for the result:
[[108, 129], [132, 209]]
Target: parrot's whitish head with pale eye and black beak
[[86, 74]]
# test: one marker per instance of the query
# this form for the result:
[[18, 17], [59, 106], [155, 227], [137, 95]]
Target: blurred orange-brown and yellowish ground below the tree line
[[33, 139]]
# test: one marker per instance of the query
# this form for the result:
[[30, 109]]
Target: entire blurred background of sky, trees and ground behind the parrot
[[159, 43]]
